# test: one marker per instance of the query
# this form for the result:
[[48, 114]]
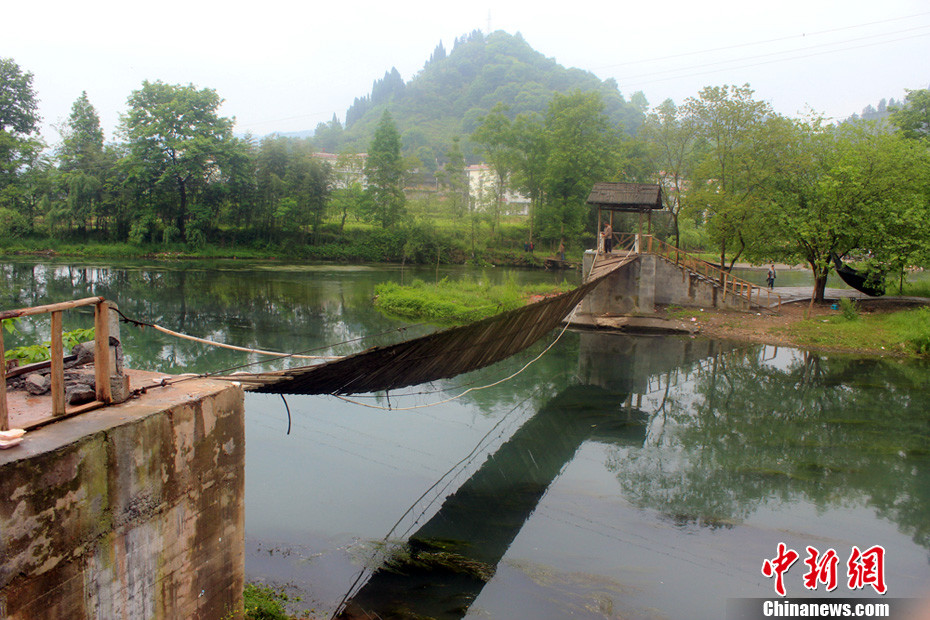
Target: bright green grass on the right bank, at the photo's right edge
[[906, 332]]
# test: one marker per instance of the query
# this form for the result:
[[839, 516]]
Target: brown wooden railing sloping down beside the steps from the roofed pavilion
[[729, 283]]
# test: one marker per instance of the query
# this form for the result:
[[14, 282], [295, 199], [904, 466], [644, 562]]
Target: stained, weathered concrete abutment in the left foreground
[[133, 511]]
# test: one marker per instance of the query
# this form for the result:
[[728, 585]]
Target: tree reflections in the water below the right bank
[[745, 431]]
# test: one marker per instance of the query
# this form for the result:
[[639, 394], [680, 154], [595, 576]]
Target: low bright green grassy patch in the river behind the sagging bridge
[[456, 302]]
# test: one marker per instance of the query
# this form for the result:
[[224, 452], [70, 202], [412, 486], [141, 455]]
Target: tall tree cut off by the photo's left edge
[[19, 120]]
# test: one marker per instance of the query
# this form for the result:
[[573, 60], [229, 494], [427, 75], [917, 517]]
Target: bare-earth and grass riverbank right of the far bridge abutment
[[887, 327]]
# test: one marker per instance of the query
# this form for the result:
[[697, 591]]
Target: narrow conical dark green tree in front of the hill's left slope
[[385, 170]]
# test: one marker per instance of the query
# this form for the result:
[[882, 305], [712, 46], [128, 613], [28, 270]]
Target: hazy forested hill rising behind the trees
[[448, 97]]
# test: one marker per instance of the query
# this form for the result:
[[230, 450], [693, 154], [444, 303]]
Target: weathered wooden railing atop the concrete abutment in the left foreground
[[104, 393]]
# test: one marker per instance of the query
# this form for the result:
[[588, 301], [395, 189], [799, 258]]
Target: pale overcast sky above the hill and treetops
[[286, 66]]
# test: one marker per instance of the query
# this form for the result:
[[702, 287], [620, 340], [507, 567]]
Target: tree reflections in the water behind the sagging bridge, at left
[[278, 309]]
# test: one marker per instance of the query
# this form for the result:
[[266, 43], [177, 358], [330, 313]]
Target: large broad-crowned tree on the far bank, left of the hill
[[178, 145]]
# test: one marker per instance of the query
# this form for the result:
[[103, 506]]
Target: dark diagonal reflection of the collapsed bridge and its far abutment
[[447, 562]]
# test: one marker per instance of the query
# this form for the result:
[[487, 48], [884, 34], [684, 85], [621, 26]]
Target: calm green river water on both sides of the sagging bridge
[[616, 477]]
